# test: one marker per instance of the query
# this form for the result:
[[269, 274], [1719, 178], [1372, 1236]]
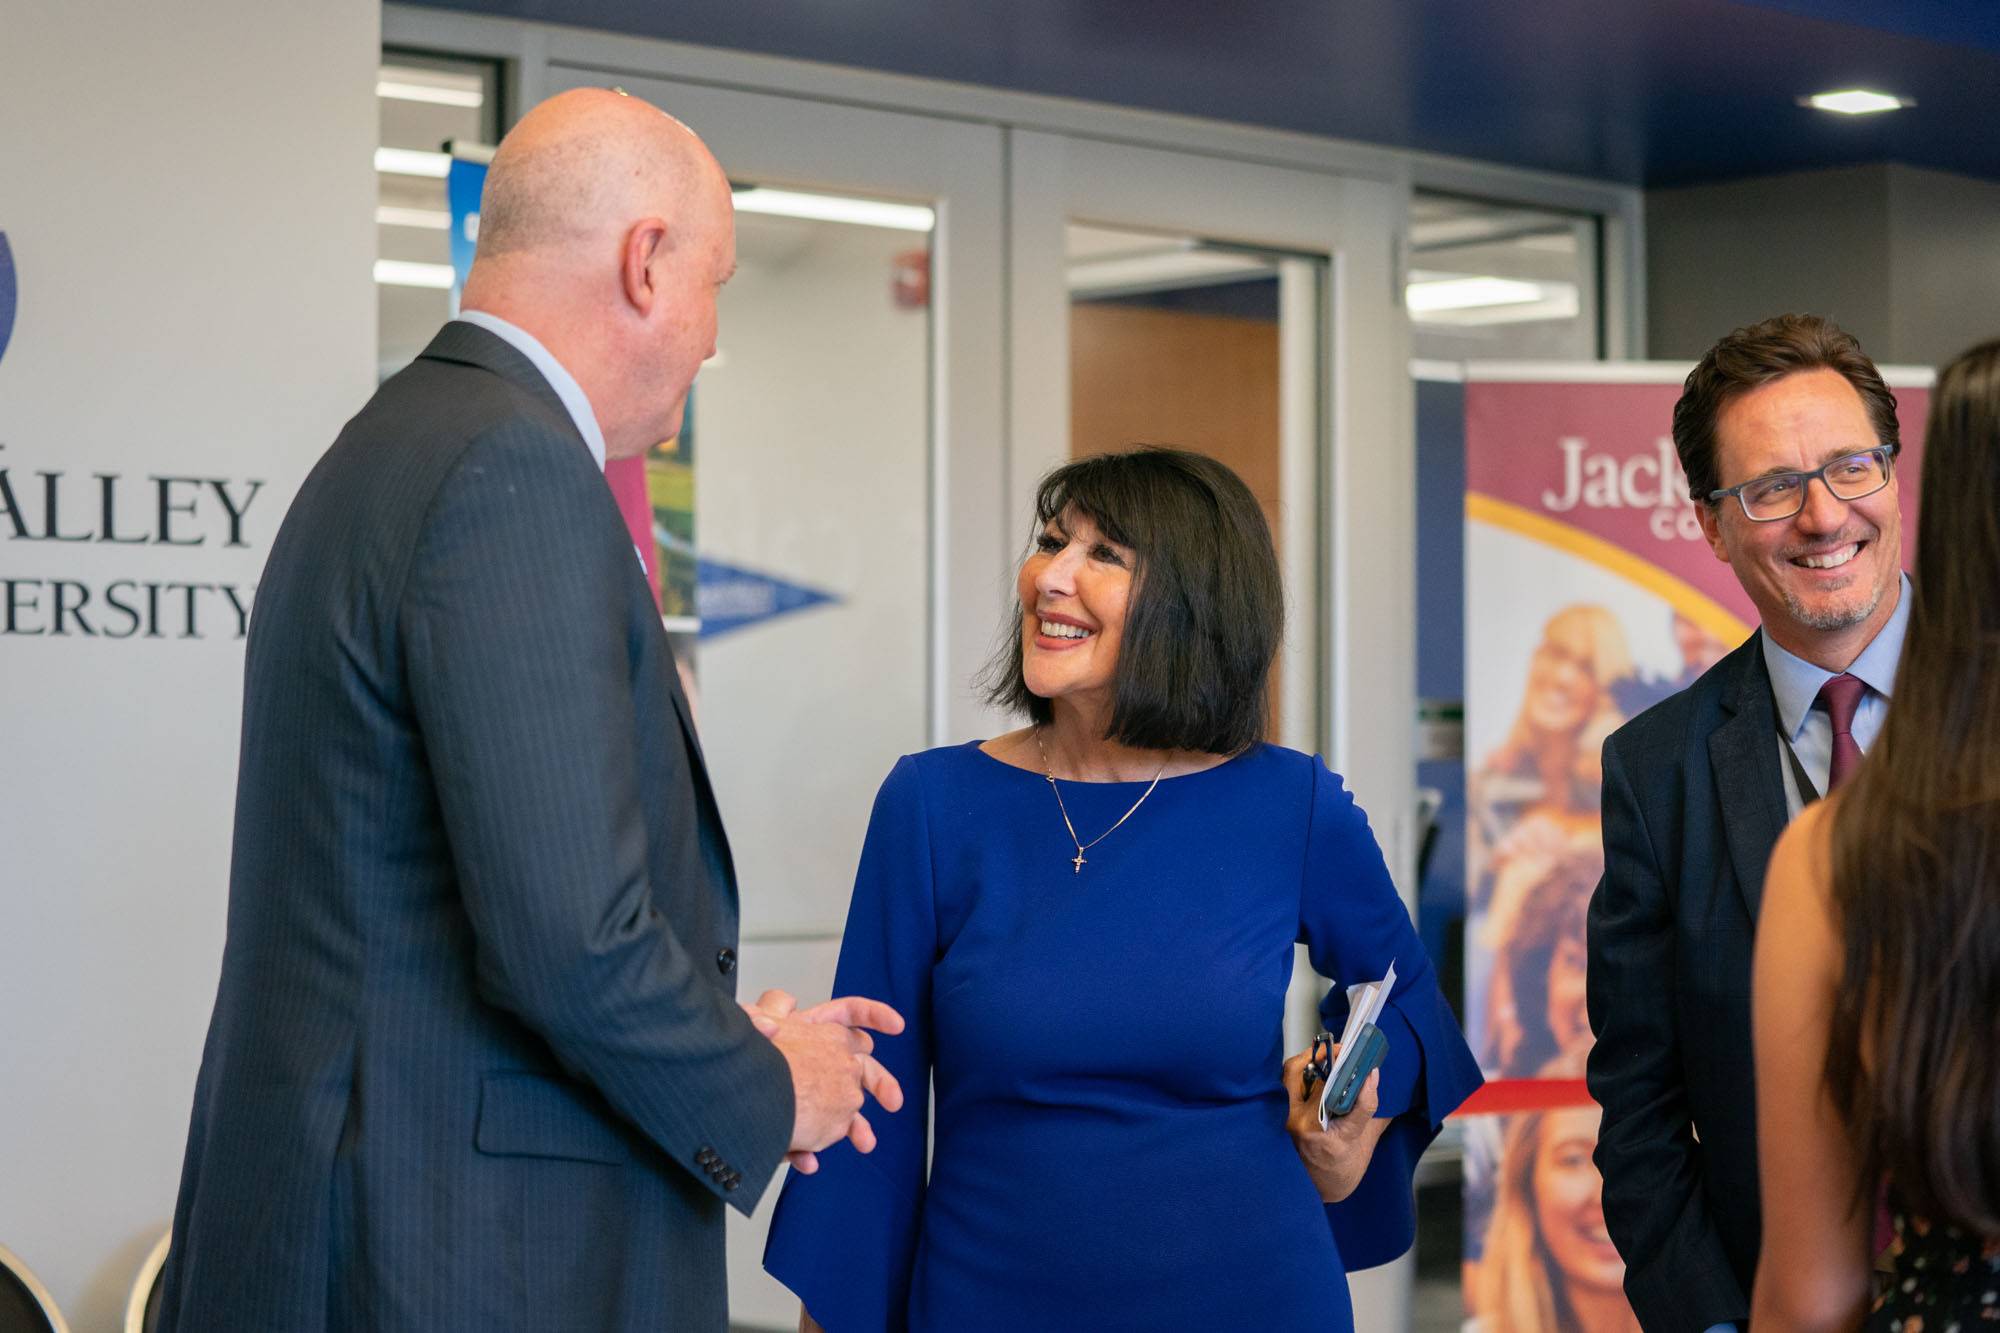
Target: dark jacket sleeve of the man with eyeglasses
[[1655, 1200]]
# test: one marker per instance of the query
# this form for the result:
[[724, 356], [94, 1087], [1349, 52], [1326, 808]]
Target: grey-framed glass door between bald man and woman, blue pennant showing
[[839, 491]]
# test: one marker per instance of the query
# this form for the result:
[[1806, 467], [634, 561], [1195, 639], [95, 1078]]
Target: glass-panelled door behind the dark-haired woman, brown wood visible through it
[[1253, 313]]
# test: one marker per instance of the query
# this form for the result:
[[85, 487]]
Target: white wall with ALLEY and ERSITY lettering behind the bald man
[[189, 199]]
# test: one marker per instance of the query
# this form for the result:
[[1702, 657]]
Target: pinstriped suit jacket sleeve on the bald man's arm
[[517, 621]]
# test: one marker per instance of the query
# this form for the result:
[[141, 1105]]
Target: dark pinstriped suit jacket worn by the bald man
[[475, 1060]]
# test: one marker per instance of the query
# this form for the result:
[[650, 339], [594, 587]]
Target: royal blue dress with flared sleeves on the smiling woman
[[1105, 1050]]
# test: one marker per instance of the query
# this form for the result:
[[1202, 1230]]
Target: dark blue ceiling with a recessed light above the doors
[[1653, 93]]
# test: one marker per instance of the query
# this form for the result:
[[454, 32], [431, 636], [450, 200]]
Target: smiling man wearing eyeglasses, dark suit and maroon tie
[[1789, 441]]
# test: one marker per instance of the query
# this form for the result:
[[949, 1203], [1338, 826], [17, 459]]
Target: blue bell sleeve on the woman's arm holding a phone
[[1355, 926]]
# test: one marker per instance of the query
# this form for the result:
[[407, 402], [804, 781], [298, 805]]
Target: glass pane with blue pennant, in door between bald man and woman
[[811, 507]]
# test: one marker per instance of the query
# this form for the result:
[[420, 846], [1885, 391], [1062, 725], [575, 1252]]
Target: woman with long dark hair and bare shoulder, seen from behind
[[1877, 988]]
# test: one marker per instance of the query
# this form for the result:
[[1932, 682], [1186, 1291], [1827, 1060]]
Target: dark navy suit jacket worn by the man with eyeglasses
[[1693, 808]]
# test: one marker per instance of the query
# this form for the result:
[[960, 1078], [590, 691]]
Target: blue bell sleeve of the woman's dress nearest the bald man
[[845, 1238]]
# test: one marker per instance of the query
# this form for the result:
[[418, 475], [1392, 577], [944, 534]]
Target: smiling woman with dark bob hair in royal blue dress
[[1089, 928]]
